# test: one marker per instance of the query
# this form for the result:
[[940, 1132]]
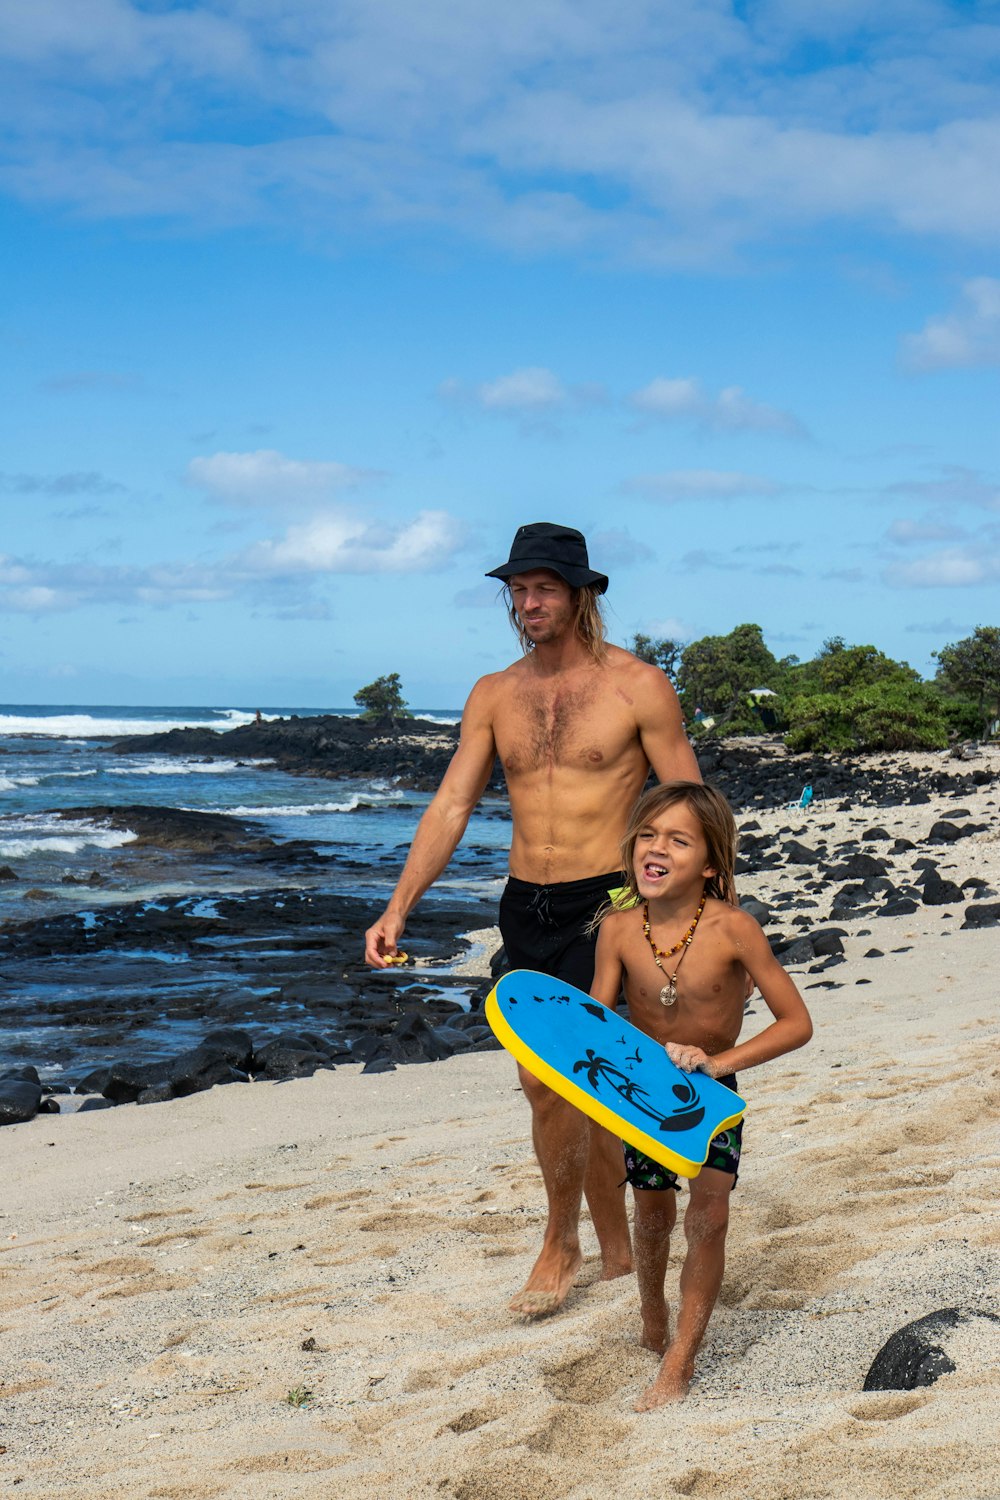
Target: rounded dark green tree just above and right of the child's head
[[717, 673]]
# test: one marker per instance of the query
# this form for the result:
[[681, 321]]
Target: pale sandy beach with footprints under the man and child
[[301, 1289]]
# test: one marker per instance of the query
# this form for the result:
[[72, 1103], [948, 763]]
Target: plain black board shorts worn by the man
[[545, 928]]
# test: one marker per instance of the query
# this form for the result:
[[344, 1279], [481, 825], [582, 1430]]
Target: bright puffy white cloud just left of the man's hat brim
[[343, 544]]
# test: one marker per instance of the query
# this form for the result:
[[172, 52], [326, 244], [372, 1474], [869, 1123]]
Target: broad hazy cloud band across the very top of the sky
[[662, 133]]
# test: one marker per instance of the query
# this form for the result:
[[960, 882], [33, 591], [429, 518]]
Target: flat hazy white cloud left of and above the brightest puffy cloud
[[268, 478]]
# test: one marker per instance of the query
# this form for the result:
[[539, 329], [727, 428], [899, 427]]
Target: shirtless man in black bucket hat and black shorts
[[576, 725]]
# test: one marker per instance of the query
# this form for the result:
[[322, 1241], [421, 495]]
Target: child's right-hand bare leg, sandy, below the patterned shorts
[[705, 1226]]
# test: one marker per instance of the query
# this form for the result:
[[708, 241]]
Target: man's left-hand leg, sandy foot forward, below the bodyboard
[[561, 1139]]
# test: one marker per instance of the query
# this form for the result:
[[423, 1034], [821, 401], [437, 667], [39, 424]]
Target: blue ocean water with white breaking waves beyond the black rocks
[[58, 758]]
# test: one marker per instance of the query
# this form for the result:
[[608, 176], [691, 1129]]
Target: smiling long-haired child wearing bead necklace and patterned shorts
[[683, 953]]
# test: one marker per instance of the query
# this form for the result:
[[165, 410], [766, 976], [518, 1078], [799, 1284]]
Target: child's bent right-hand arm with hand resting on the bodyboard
[[791, 1028]]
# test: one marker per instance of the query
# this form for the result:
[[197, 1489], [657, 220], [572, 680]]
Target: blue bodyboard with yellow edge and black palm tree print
[[611, 1070]]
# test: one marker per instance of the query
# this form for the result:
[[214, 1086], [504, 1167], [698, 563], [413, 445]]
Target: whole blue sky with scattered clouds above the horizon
[[308, 307]]
